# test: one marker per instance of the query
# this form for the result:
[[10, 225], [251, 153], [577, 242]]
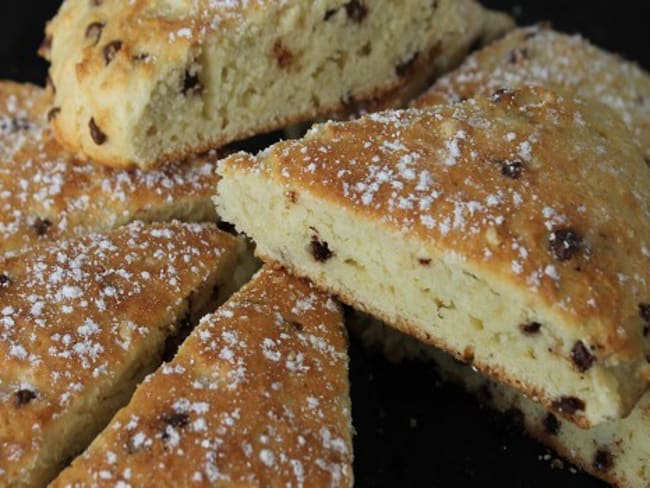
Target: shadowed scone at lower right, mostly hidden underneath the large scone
[[616, 451]]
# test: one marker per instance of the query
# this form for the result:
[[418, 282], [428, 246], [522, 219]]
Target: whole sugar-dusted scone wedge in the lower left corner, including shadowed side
[[83, 321]]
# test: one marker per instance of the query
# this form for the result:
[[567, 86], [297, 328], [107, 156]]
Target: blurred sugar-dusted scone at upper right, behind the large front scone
[[539, 56]]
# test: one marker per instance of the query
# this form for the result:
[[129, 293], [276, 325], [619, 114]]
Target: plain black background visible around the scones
[[413, 431]]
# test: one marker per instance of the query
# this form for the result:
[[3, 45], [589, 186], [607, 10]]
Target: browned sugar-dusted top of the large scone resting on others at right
[[548, 197]]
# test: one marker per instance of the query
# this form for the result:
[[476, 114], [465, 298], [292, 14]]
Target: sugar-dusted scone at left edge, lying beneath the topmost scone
[[47, 194]]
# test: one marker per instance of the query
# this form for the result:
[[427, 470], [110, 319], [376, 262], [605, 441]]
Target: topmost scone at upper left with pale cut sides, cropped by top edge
[[140, 82]]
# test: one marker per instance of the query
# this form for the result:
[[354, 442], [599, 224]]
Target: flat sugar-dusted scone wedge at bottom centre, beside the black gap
[[257, 396]]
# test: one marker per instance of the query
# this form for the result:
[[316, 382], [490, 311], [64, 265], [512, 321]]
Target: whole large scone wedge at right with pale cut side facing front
[[512, 231]]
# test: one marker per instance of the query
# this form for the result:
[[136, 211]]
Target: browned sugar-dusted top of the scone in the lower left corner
[[72, 311]]
